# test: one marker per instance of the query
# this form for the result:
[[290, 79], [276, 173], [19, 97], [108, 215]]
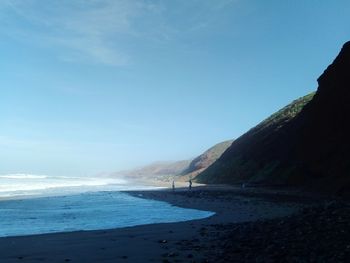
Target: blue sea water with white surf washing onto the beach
[[40, 204]]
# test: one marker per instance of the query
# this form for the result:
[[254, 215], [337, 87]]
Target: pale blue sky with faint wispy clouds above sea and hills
[[90, 86]]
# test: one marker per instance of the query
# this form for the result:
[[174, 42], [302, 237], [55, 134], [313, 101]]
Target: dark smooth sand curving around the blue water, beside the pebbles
[[192, 241]]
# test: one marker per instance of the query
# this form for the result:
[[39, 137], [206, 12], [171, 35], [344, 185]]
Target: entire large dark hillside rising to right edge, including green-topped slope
[[306, 144]]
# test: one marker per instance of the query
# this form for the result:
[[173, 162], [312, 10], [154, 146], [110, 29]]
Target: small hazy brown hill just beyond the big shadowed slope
[[206, 159]]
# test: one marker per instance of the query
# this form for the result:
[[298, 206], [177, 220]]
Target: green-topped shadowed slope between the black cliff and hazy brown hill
[[243, 161]]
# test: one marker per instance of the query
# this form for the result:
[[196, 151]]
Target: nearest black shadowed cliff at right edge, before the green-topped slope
[[322, 146]]
